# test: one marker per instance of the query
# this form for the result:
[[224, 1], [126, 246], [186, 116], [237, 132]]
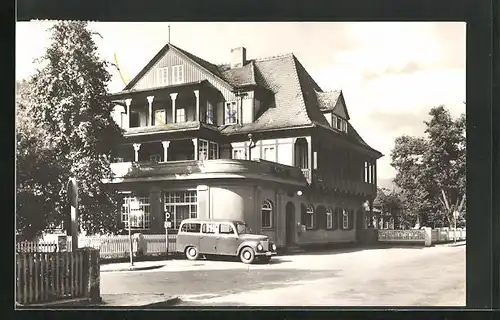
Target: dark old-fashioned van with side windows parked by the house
[[222, 237]]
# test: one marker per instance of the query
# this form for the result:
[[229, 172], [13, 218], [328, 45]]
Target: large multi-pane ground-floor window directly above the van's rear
[[181, 205]]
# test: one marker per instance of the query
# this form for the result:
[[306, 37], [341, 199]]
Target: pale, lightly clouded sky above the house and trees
[[391, 73]]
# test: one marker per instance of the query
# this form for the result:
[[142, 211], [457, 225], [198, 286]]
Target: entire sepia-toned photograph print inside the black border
[[240, 164]]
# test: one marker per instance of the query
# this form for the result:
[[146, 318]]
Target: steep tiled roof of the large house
[[298, 99]]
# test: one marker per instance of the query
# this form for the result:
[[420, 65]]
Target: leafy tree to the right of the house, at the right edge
[[431, 170]]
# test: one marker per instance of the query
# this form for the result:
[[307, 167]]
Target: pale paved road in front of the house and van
[[377, 277]]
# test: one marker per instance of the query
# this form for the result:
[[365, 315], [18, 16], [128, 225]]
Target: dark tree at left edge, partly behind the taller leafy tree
[[38, 177]]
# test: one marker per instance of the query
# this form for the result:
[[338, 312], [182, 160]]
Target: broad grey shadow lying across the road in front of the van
[[198, 284]]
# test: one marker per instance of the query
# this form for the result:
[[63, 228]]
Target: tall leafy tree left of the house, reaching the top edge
[[68, 99]]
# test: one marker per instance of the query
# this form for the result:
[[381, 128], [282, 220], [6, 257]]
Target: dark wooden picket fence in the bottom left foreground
[[47, 277]]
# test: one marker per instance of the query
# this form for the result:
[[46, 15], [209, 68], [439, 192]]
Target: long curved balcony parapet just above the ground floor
[[207, 169]]
